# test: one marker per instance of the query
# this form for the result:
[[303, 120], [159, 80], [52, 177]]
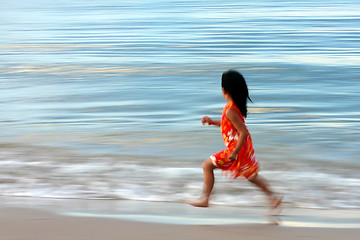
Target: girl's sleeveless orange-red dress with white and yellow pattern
[[246, 165]]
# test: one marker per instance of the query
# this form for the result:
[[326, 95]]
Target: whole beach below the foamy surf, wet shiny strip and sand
[[180, 223]]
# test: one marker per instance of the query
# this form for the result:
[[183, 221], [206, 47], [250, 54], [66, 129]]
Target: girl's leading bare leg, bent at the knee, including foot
[[209, 180]]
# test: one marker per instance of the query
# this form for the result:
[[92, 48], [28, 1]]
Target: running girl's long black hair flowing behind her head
[[234, 83]]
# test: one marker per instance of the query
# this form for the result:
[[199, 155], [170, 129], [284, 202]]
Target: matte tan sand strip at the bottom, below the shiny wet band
[[37, 224]]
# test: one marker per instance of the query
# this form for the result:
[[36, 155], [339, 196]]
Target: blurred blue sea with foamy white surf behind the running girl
[[103, 99]]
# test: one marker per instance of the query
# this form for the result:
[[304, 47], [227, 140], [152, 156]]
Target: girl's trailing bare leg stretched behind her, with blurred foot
[[275, 199]]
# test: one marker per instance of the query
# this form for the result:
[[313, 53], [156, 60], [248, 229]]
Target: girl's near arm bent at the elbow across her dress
[[240, 126]]
